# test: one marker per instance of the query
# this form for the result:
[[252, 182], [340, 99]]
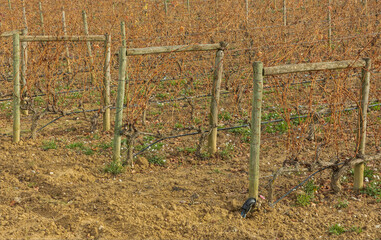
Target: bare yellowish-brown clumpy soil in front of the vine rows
[[64, 193]]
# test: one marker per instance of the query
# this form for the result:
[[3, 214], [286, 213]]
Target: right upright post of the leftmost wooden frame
[[106, 83]]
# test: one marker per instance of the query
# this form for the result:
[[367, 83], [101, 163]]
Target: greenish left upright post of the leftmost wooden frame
[[16, 87]]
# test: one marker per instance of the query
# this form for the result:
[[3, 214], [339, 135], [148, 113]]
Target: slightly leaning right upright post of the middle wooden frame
[[213, 117]]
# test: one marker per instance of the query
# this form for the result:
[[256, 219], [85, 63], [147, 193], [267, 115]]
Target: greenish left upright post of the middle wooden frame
[[119, 104]]
